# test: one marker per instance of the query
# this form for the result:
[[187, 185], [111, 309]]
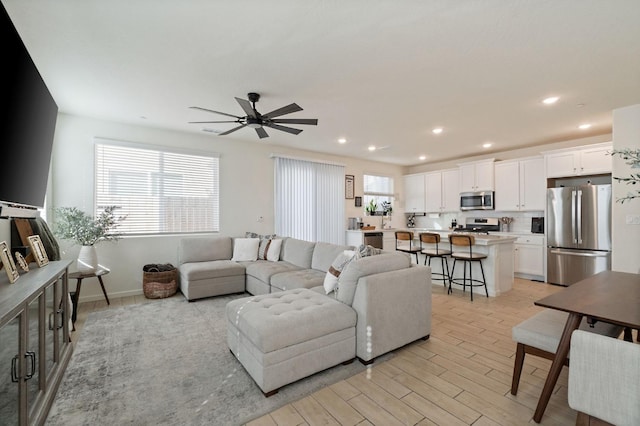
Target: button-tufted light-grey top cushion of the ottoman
[[279, 320]]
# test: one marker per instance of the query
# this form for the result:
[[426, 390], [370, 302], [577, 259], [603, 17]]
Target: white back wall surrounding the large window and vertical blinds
[[246, 175]]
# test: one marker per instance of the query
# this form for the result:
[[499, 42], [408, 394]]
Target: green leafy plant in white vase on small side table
[[72, 223]]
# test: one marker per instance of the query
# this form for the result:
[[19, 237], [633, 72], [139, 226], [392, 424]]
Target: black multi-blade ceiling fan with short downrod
[[258, 121]]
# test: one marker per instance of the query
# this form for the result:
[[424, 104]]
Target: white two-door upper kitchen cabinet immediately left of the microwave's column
[[442, 191]]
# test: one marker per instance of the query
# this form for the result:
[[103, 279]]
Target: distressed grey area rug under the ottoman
[[167, 363]]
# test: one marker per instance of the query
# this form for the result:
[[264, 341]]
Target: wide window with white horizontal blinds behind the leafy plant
[[161, 191]]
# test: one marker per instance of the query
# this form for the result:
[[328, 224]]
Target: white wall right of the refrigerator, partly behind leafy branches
[[625, 256]]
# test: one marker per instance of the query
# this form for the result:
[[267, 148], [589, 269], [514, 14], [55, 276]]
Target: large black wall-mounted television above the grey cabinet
[[27, 123]]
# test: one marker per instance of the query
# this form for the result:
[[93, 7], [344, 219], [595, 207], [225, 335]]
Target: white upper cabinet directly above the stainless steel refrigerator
[[586, 160]]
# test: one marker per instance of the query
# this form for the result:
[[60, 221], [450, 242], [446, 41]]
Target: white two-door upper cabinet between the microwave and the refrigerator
[[520, 185]]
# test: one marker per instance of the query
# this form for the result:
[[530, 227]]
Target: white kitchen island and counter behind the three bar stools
[[498, 266]]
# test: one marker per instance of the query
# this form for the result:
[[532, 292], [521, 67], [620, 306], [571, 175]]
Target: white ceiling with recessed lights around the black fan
[[381, 72]]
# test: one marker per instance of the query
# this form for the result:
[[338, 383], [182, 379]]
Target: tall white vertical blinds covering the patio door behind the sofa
[[309, 200]]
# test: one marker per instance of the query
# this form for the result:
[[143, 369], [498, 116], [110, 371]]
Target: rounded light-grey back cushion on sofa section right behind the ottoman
[[367, 266]]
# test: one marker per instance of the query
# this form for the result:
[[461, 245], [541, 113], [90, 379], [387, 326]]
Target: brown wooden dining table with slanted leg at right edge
[[610, 296]]
